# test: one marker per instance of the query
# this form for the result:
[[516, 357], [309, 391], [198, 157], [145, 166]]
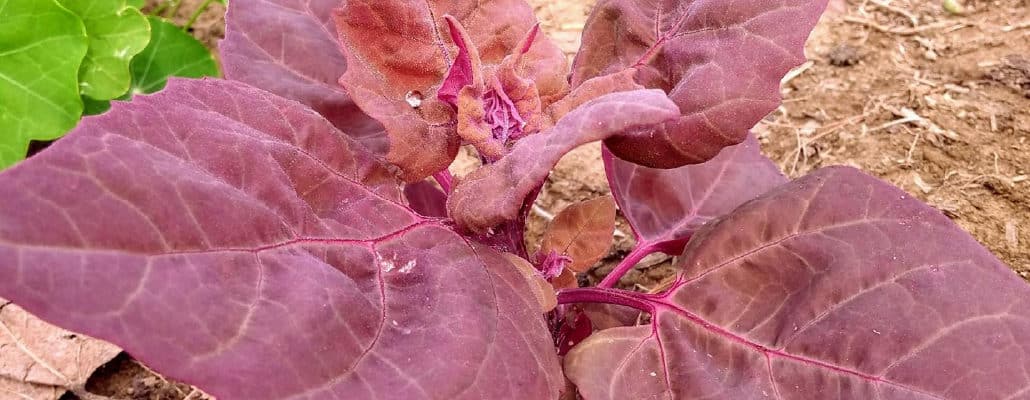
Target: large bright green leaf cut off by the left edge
[[42, 48]]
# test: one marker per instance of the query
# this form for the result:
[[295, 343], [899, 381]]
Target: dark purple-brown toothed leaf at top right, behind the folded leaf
[[720, 61]]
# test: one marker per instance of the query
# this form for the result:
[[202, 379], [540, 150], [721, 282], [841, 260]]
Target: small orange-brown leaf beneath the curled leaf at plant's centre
[[582, 231]]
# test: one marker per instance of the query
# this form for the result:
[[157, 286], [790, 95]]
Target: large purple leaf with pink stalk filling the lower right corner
[[837, 286]]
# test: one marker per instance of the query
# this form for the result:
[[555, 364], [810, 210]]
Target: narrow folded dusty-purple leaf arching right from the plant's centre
[[495, 193]]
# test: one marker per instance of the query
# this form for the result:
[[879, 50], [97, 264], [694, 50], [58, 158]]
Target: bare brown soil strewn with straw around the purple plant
[[937, 104]]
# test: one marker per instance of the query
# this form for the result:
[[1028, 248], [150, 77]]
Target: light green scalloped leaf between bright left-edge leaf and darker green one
[[117, 34]]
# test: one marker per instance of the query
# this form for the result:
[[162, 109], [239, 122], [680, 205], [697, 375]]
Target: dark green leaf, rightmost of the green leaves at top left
[[171, 53]]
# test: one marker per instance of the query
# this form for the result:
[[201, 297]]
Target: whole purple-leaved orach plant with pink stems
[[263, 244]]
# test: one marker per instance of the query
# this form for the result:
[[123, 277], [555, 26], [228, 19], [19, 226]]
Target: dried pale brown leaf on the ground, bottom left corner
[[40, 361]]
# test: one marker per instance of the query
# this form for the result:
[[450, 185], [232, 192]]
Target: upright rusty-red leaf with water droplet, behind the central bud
[[399, 55]]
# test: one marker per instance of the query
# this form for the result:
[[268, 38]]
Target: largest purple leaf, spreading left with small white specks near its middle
[[241, 243]]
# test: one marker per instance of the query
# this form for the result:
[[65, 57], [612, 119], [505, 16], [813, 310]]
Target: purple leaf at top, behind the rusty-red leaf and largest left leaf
[[290, 48]]
